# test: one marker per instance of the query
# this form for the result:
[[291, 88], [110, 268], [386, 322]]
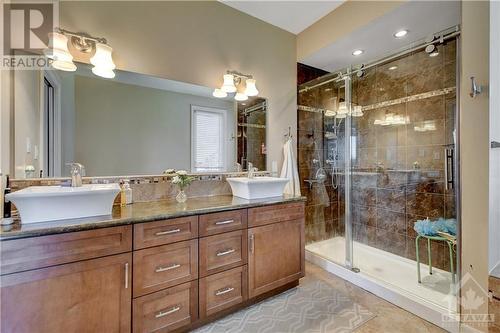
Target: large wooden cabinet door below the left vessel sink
[[87, 296]]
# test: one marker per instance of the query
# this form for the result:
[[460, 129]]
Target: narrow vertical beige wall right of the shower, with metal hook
[[474, 148]]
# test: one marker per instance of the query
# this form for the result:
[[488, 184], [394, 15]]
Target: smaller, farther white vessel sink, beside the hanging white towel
[[258, 187]]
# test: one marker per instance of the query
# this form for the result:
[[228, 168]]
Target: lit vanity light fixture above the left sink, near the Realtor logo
[[63, 60]]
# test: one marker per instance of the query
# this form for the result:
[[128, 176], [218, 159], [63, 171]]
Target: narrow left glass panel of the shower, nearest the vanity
[[321, 166]]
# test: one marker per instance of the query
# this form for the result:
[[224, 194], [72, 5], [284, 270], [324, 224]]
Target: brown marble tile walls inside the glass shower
[[398, 171]]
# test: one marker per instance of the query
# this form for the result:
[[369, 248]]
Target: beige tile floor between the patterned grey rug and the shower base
[[389, 318]]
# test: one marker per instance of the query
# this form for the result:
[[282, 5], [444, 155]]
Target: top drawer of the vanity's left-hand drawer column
[[165, 232]]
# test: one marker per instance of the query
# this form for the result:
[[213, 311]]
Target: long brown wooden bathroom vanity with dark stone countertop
[[153, 266]]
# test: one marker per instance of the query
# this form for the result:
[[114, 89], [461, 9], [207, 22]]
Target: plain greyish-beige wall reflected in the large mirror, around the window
[[124, 129]]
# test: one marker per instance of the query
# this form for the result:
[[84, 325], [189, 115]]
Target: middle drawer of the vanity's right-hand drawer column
[[221, 252]]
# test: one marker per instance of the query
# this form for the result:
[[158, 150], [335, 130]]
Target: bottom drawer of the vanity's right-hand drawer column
[[223, 290]]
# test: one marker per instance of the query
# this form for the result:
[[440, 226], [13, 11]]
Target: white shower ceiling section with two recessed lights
[[420, 18]]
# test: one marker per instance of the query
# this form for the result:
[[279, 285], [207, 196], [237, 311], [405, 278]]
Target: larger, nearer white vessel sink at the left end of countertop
[[49, 203]]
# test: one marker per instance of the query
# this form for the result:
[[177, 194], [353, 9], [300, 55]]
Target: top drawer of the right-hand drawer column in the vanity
[[216, 223]]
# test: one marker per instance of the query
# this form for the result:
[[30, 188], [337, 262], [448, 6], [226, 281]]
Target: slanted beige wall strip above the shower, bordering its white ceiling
[[344, 20]]
